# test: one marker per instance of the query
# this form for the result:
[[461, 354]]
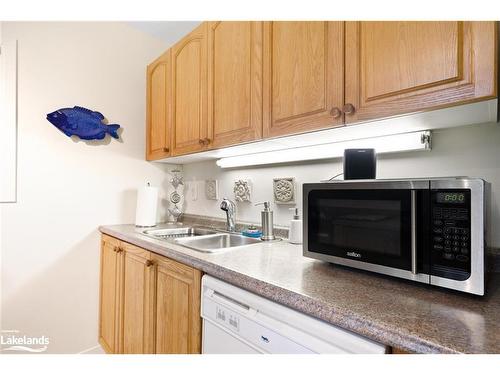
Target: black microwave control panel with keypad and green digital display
[[451, 233]]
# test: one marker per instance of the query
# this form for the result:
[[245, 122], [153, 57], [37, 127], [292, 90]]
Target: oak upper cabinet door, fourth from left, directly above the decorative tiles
[[303, 76]]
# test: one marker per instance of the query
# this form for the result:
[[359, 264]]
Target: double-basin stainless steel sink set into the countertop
[[201, 239]]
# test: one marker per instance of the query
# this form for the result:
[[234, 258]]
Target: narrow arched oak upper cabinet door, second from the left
[[189, 80]]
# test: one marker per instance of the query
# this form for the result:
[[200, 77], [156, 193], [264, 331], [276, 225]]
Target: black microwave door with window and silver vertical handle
[[376, 229]]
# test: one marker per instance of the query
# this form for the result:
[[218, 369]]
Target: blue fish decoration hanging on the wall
[[82, 122]]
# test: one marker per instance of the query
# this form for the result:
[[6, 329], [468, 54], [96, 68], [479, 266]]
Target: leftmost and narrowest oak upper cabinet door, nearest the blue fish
[[158, 108]]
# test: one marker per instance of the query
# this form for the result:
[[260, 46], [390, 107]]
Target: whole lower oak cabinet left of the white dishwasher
[[148, 303]]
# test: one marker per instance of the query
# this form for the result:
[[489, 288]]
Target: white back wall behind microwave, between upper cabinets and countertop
[[466, 151]]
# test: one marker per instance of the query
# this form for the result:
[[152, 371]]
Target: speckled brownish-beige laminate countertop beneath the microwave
[[414, 317]]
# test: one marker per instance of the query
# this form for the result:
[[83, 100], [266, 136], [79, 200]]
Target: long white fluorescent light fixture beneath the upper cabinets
[[413, 141]]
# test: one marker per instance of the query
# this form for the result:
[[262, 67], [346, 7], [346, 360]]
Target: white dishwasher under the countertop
[[237, 321]]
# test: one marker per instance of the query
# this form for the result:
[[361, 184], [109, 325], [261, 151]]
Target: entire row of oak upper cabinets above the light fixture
[[228, 83]]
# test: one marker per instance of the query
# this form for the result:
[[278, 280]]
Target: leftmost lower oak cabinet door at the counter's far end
[[110, 294]]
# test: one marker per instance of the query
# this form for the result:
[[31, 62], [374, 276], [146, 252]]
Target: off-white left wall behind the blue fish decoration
[[49, 239]]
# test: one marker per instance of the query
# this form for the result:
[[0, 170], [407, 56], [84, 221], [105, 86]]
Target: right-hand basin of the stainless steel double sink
[[216, 242]]
